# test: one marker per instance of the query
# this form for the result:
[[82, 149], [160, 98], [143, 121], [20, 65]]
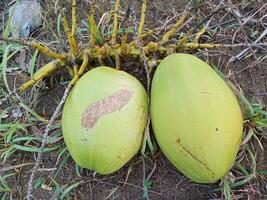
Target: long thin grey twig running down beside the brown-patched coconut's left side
[[44, 140]]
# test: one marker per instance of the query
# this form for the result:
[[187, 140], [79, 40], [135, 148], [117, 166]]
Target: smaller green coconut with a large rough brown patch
[[104, 118]]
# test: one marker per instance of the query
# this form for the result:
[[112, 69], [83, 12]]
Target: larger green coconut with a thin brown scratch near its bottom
[[196, 118]]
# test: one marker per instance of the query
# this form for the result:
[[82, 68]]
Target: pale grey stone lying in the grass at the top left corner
[[25, 17]]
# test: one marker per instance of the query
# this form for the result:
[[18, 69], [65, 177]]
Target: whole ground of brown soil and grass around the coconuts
[[58, 176]]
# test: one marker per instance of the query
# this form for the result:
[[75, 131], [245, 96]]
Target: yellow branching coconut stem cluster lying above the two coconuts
[[100, 50]]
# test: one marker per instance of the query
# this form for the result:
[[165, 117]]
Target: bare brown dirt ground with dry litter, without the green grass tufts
[[248, 75]]
